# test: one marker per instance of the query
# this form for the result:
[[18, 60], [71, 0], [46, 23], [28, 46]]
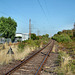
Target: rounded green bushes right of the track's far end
[[64, 36]]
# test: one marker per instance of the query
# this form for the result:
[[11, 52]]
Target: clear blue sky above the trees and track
[[47, 16]]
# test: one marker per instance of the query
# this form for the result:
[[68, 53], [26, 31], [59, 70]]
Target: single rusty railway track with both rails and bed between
[[33, 64]]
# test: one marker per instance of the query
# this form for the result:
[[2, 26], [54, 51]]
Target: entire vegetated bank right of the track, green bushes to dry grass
[[66, 60]]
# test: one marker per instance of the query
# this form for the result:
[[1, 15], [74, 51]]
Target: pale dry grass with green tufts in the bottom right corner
[[66, 64]]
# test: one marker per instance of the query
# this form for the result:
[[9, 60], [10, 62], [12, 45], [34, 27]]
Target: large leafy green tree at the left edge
[[8, 27]]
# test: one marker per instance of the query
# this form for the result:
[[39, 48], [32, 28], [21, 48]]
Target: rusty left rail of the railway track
[[25, 60]]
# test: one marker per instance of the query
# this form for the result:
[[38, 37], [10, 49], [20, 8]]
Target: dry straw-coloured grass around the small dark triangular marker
[[7, 58]]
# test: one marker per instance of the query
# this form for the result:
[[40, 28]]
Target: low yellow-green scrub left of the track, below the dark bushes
[[31, 43]]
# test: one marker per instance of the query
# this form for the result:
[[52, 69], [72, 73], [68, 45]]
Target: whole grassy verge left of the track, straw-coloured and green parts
[[20, 51]]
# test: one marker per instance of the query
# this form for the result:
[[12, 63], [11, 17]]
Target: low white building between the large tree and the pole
[[21, 36]]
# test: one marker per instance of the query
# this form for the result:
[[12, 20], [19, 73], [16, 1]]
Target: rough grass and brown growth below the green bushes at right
[[66, 59]]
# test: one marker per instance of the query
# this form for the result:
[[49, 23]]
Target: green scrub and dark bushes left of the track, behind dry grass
[[34, 42]]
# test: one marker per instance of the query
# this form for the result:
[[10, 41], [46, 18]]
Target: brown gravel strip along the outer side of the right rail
[[50, 65]]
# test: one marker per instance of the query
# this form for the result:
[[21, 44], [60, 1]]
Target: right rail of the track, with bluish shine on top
[[44, 60]]
